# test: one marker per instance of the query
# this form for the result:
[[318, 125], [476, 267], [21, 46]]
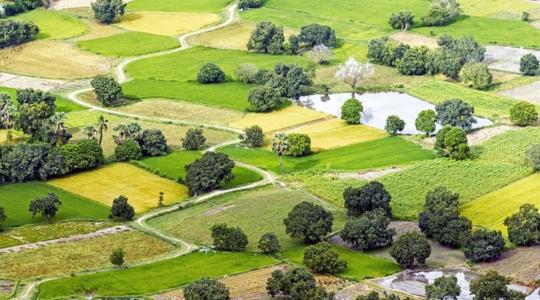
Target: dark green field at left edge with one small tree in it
[[15, 199]]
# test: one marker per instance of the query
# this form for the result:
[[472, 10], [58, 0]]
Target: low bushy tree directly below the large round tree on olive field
[[320, 258]]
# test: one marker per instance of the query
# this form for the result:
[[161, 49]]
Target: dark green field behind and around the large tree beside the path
[[172, 167]]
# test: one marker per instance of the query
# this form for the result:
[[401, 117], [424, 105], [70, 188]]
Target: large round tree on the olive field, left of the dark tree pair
[[308, 222]]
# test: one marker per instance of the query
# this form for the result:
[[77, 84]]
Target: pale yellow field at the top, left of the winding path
[[166, 23]]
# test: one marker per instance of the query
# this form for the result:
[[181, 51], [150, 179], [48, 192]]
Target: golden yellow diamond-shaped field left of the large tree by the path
[[107, 183]]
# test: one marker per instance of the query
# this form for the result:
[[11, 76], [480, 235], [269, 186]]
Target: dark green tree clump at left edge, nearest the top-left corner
[[14, 33]]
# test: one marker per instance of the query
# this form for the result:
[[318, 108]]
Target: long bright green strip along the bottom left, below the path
[[156, 277]]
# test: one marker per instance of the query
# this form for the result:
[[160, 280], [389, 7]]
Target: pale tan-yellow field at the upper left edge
[[52, 59]]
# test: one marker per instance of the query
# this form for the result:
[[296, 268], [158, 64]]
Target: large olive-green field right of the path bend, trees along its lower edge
[[256, 212]]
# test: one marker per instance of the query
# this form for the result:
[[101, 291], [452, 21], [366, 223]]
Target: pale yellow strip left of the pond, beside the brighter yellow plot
[[283, 119]]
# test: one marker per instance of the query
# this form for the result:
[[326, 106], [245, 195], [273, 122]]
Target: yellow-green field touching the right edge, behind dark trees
[[490, 210]]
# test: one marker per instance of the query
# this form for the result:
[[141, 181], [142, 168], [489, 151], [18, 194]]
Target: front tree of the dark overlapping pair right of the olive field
[[369, 231]]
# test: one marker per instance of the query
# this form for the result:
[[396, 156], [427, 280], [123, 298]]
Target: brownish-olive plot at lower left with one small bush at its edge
[[61, 259]]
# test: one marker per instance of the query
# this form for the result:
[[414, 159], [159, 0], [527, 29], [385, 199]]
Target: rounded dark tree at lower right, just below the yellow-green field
[[484, 245]]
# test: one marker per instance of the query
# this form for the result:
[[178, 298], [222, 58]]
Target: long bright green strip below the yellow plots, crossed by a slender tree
[[390, 151]]
